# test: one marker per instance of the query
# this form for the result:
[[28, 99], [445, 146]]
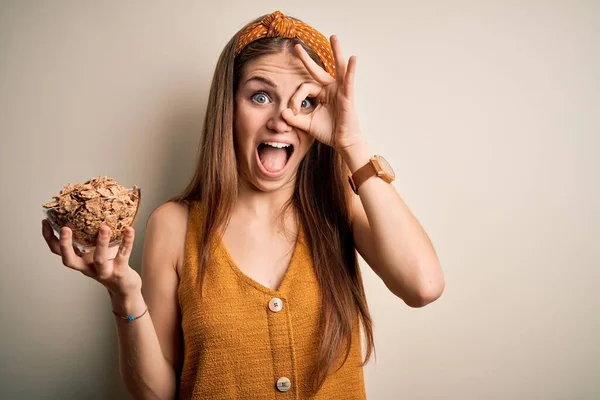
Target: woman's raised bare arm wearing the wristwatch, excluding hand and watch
[[391, 239]]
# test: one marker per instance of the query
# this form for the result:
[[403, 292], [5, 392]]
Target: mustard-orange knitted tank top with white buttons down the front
[[247, 341]]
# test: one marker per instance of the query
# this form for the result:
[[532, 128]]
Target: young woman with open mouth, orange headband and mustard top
[[251, 286]]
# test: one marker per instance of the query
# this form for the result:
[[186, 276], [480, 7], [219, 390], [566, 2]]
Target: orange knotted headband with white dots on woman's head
[[278, 25]]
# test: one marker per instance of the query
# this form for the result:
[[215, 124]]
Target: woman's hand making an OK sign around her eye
[[334, 120]]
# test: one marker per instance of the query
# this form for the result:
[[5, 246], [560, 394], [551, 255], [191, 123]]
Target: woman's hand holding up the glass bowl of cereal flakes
[[115, 274]]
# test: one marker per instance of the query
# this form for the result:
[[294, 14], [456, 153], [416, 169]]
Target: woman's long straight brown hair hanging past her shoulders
[[321, 199]]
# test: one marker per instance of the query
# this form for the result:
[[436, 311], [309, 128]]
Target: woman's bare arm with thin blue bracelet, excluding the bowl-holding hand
[[149, 348]]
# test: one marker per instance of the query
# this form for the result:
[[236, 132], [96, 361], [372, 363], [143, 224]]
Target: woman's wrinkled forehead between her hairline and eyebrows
[[283, 66]]
